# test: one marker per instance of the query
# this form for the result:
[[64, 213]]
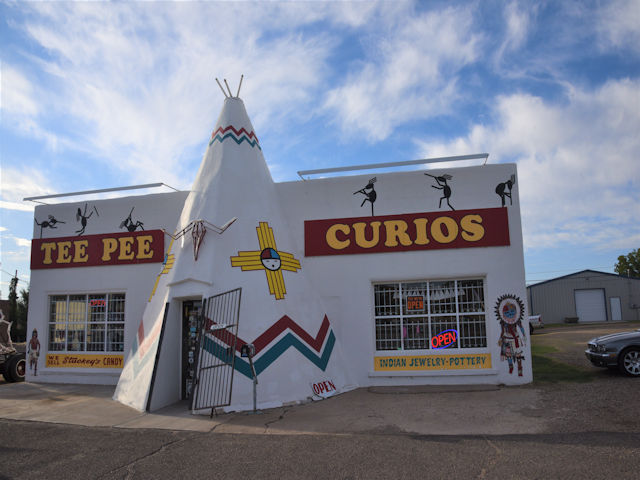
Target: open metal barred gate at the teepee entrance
[[216, 351]]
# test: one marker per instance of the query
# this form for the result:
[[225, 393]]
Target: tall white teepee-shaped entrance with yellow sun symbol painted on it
[[294, 343]]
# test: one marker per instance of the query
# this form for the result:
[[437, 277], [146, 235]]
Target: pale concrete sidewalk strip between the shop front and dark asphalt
[[427, 410]]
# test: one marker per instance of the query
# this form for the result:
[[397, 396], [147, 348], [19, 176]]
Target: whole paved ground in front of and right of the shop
[[543, 430]]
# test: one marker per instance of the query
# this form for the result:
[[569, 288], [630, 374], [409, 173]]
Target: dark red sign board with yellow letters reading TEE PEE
[[96, 250]]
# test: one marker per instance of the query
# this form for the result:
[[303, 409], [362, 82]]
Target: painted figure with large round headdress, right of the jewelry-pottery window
[[509, 311]]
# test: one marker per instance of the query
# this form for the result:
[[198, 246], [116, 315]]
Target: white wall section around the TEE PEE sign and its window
[[157, 211]]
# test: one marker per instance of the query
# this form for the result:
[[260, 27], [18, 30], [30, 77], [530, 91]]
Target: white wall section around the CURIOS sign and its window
[[345, 281]]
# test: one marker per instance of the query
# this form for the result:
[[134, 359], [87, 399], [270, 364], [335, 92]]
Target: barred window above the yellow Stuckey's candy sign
[[86, 323]]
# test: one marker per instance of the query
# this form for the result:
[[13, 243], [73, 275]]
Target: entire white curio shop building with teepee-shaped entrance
[[405, 278]]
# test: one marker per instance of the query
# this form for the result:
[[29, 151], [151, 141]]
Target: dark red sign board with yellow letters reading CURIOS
[[487, 227]]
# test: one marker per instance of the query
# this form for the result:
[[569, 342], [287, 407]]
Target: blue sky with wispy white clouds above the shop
[[97, 95]]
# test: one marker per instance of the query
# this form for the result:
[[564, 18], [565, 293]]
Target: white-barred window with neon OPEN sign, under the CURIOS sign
[[408, 315]]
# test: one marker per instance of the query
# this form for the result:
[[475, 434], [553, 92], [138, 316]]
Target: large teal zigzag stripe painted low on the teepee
[[271, 355]]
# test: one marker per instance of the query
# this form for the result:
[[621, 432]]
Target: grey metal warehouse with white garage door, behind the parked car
[[589, 296]]
